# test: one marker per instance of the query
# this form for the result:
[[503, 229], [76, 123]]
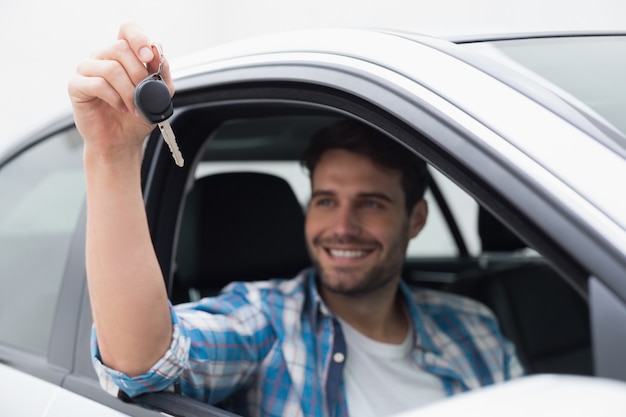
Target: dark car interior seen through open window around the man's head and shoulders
[[244, 221]]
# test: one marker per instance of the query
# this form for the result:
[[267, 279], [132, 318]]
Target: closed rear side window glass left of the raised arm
[[41, 196]]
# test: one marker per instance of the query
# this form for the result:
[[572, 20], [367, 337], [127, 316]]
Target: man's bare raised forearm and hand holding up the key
[[126, 287]]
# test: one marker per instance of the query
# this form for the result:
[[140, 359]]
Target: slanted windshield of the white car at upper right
[[587, 69]]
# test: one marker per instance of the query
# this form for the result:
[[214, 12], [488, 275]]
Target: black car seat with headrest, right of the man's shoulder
[[543, 315]]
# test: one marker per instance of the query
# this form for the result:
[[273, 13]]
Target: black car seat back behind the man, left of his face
[[240, 226]]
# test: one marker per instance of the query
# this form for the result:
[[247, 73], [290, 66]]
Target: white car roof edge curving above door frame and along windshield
[[384, 47]]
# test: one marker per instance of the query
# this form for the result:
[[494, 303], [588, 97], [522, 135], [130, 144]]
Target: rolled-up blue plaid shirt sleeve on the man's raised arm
[[217, 345]]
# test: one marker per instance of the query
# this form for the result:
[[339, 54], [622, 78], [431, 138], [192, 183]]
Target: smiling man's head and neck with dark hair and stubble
[[359, 222]]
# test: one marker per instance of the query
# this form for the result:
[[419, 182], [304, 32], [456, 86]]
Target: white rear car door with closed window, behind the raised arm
[[42, 275]]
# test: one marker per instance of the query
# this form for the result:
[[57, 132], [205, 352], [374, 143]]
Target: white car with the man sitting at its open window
[[525, 140]]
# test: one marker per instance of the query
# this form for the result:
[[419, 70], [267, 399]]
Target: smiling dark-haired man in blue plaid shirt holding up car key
[[344, 338]]
